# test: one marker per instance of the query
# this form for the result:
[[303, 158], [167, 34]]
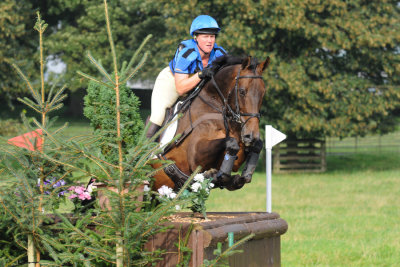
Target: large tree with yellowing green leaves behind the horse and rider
[[334, 68]]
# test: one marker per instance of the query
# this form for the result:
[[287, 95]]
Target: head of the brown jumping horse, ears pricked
[[245, 98]]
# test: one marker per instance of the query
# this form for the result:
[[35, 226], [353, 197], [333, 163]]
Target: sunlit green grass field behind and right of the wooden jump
[[348, 216]]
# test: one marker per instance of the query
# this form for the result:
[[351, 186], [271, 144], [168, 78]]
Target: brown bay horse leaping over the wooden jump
[[219, 129]]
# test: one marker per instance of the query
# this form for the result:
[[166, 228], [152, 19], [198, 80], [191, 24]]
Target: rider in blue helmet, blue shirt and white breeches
[[186, 69]]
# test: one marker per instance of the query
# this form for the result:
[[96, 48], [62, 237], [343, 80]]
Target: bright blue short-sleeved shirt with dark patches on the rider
[[187, 58]]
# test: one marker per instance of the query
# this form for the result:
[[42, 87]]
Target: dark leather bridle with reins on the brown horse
[[228, 113]]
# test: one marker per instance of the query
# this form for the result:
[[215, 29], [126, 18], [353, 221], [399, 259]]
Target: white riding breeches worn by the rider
[[164, 95]]
